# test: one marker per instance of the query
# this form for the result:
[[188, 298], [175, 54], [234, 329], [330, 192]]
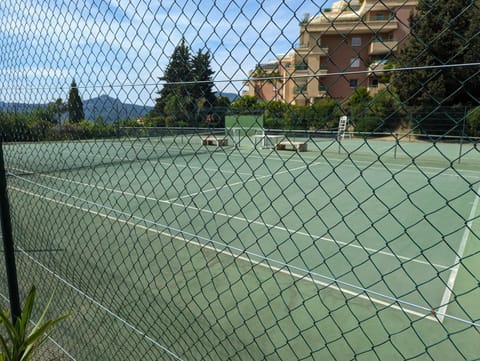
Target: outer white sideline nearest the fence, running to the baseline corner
[[244, 255]]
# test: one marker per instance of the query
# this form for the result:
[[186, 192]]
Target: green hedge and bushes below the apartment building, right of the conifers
[[382, 112]]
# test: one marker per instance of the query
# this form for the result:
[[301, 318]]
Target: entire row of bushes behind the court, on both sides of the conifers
[[379, 113]]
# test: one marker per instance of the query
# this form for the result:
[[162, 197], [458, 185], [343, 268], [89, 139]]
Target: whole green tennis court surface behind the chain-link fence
[[352, 248]]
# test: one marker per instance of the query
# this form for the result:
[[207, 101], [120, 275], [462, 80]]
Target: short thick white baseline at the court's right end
[[447, 294]]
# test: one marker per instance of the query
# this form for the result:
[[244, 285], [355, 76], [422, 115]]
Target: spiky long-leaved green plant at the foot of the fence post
[[17, 343]]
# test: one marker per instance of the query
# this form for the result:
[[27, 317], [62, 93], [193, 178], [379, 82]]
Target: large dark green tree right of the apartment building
[[442, 33]]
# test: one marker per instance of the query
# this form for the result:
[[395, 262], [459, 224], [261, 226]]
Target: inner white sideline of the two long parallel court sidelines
[[290, 231]]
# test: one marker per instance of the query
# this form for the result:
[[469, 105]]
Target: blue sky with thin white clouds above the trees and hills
[[120, 48]]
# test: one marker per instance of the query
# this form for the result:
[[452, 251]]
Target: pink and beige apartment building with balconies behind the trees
[[339, 50]]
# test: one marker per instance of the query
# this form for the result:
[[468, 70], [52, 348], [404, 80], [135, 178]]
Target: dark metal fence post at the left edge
[[8, 248]]
